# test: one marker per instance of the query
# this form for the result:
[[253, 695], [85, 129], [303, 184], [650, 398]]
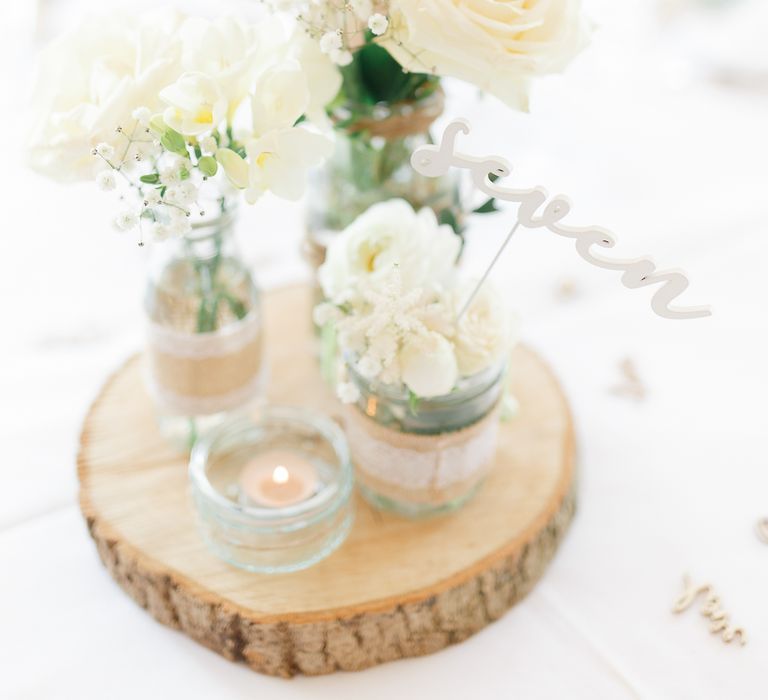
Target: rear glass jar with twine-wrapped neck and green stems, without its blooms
[[371, 163]]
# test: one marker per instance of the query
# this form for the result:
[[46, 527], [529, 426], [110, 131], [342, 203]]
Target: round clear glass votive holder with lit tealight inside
[[273, 495]]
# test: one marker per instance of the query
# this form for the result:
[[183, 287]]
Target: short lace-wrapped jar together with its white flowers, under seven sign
[[424, 359]]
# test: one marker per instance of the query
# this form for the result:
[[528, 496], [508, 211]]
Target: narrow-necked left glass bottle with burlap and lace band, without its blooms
[[204, 345]]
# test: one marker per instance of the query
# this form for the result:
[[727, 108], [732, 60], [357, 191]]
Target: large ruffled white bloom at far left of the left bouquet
[[90, 80]]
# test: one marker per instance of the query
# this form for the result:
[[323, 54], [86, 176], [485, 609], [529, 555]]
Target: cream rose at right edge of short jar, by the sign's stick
[[483, 334]]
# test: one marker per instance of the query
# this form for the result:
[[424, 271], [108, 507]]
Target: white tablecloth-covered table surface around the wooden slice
[[647, 143]]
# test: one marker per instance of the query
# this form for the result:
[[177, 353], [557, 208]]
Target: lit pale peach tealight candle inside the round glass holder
[[278, 478]]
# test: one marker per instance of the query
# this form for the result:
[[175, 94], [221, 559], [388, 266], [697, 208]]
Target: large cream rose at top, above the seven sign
[[497, 46]]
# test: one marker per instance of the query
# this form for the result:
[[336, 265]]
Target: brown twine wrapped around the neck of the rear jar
[[392, 121]]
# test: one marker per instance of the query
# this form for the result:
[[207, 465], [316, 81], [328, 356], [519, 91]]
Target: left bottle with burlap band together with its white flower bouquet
[[177, 116]]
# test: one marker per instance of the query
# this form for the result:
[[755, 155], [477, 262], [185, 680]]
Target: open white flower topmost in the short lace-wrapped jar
[[388, 234]]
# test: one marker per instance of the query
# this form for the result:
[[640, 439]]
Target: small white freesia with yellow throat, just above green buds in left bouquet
[[195, 104]]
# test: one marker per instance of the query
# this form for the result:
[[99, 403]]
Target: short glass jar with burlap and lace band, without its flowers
[[426, 456]]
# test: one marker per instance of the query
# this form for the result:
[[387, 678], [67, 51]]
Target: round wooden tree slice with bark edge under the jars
[[396, 588]]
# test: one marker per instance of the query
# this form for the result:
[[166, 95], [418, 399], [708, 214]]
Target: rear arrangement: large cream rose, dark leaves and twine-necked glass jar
[[392, 55]]
